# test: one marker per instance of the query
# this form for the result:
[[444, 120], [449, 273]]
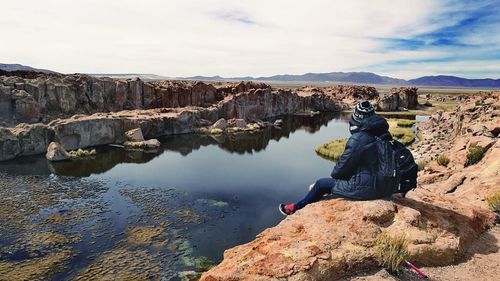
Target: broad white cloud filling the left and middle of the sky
[[224, 37]]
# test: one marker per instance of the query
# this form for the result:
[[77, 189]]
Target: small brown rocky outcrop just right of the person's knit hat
[[398, 99]]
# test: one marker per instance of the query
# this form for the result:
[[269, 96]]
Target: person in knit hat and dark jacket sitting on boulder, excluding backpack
[[354, 176]]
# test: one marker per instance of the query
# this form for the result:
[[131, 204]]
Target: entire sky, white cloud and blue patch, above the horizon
[[179, 38]]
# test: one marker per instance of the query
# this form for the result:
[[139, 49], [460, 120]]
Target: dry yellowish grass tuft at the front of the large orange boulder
[[392, 251]]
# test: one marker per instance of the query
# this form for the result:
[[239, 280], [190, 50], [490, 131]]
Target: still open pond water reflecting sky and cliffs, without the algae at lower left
[[214, 192]]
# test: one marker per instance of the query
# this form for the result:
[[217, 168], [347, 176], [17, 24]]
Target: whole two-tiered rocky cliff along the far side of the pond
[[80, 111]]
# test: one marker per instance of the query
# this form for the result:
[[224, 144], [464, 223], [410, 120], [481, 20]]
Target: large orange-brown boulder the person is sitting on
[[333, 238]]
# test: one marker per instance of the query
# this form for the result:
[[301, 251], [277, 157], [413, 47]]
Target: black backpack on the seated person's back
[[397, 170]]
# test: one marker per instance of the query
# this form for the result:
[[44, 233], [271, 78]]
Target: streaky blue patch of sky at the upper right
[[468, 34]]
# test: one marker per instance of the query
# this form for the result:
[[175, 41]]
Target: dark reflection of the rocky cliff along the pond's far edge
[[108, 157]]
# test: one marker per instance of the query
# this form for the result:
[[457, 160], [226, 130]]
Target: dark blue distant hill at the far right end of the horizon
[[453, 81]]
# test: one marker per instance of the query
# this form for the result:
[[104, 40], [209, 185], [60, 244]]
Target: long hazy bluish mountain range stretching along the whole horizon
[[330, 77]]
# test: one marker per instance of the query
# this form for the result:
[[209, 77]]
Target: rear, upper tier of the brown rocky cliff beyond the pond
[[48, 97]]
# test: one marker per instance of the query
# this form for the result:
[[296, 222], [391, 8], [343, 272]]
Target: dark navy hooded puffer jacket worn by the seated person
[[355, 172]]
